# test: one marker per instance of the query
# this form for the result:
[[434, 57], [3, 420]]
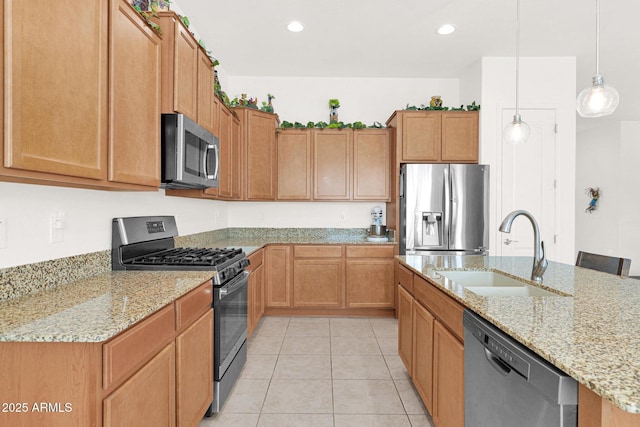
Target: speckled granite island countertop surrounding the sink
[[592, 333]]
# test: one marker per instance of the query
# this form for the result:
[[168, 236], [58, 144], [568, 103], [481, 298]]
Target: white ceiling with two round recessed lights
[[380, 38]]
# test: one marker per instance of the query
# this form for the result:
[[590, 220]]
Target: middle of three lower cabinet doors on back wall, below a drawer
[[318, 283]]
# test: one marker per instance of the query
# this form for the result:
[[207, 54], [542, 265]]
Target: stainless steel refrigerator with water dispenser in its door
[[444, 209]]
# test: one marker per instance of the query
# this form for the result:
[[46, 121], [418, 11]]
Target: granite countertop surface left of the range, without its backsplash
[[93, 309]]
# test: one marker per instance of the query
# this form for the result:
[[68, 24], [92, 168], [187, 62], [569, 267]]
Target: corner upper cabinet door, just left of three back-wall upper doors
[[260, 151]]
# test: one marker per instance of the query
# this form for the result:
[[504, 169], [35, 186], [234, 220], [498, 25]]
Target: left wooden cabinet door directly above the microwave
[[185, 78]]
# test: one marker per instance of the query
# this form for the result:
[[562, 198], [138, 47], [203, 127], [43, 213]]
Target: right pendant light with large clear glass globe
[[599, 99]]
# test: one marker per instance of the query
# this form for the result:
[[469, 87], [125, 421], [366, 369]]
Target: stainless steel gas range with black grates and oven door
[[148, 243]]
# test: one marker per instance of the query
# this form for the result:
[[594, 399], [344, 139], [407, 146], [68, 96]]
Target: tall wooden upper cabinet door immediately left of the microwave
[[134, 83]]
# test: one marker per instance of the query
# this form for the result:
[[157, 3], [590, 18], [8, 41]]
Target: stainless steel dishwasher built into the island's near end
[[507, 385]]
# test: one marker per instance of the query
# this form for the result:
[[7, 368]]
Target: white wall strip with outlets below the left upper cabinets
[[88, 213]]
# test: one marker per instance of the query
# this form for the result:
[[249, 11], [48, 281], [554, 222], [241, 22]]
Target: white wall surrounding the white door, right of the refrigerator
[[544, 83]]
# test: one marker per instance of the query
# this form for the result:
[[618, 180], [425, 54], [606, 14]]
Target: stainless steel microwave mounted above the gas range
[[190, 154]]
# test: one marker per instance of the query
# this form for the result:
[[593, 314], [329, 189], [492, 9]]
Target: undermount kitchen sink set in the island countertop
[[490, 284]]
